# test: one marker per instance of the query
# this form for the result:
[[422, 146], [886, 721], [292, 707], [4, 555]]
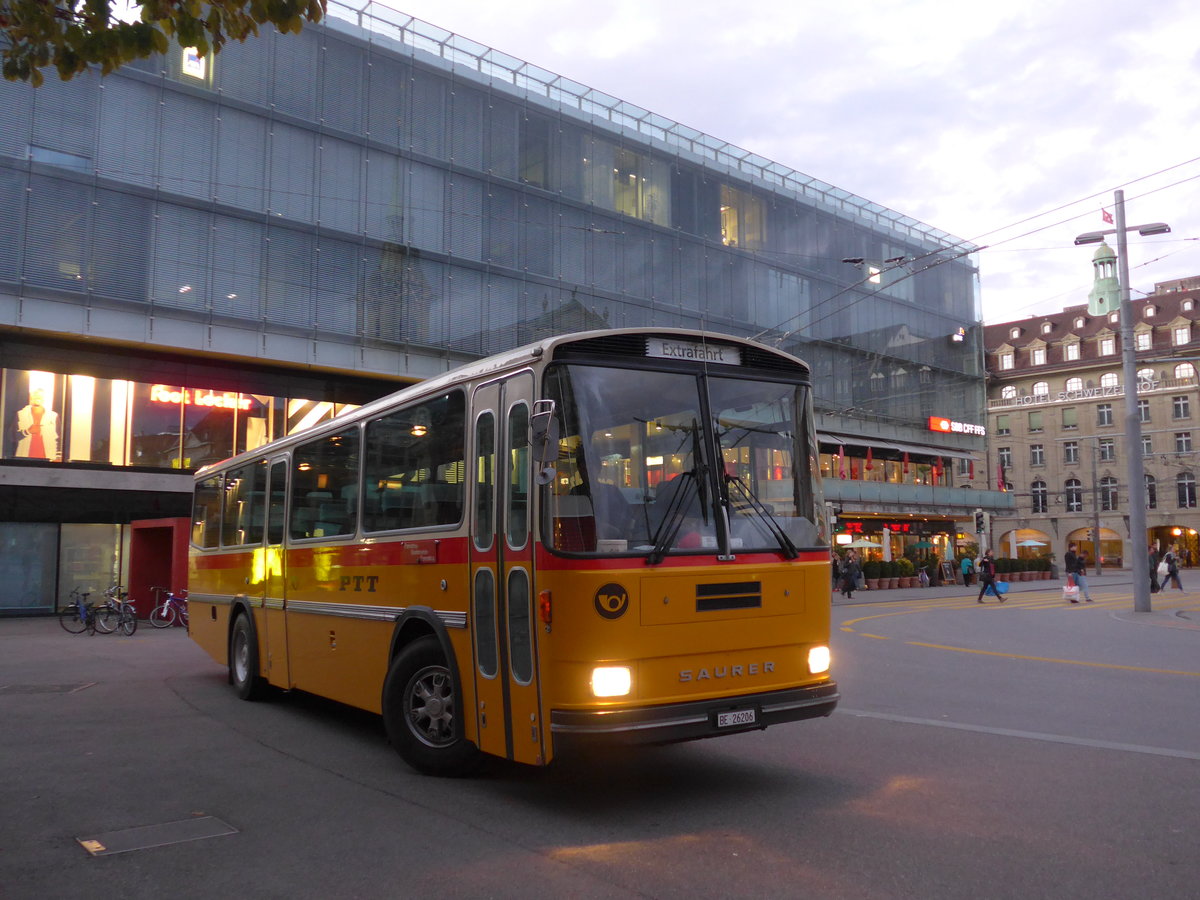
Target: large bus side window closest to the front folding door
[[413, 466]]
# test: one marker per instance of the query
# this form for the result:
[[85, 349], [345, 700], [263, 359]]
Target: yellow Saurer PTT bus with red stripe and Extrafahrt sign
[[610, 536]]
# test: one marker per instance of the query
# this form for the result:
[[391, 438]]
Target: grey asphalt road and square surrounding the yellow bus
[[1022, 751]]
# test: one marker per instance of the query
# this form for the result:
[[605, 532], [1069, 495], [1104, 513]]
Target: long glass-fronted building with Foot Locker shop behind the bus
[[200, 255]]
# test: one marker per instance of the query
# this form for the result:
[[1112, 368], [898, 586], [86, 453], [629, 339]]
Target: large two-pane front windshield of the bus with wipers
[[649, 465]]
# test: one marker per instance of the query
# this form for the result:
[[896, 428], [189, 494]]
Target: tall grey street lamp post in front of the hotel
[[1137, 473]]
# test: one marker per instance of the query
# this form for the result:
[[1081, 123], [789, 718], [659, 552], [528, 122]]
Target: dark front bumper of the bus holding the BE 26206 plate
[[693, 721]]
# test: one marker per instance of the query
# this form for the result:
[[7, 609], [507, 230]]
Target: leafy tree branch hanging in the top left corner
[[73, 35]]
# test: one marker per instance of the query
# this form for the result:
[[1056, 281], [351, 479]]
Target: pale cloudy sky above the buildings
[[1010, 124]]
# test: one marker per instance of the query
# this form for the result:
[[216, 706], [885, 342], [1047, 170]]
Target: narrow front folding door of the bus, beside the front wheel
[[502, 605]]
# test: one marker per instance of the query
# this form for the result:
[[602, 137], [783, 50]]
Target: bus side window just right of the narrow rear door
[[325, 485]]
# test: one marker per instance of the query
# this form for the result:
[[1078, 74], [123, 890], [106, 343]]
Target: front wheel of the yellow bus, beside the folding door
[[423, 713]]
